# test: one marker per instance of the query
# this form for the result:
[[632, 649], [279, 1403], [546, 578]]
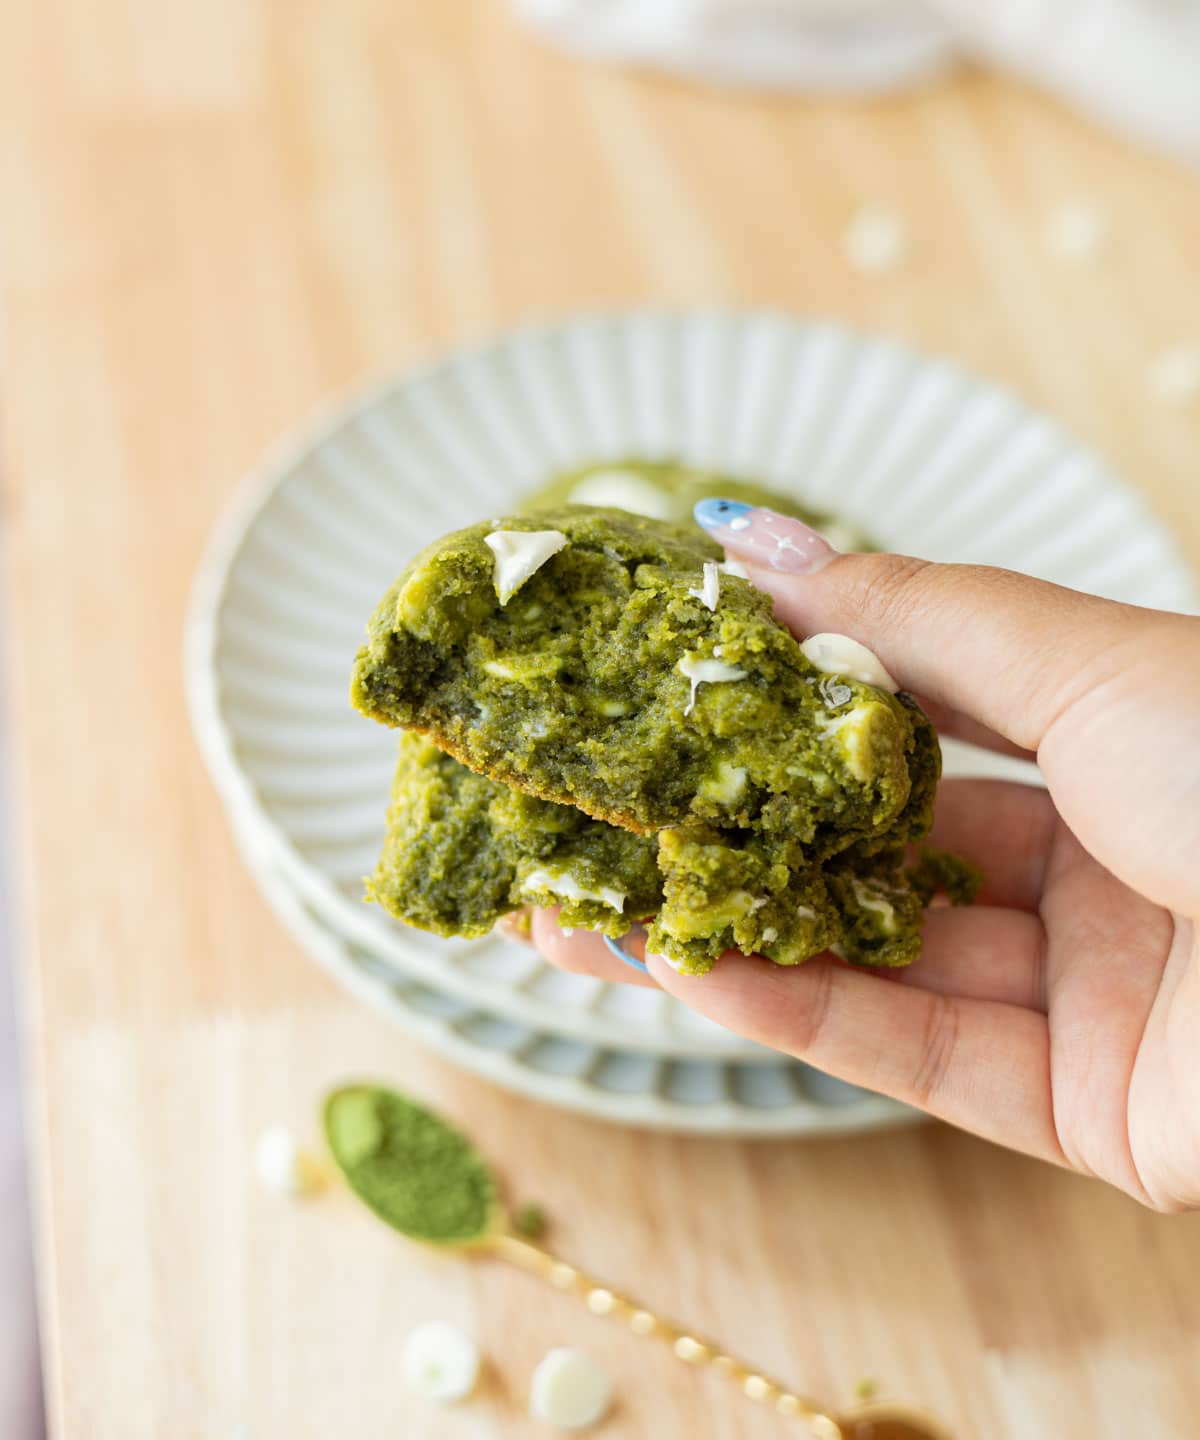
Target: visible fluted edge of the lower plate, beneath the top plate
[[704, 1095]]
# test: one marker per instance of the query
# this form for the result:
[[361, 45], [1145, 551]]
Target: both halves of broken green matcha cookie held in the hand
[[594, 663]]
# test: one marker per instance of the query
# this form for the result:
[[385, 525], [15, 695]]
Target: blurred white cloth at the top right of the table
[[1132, 64]]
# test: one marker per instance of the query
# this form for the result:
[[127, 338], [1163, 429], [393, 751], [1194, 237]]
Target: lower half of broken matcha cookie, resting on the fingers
[[463, 850]]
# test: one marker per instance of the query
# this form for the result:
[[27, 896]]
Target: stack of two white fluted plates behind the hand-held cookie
[[911, 449]]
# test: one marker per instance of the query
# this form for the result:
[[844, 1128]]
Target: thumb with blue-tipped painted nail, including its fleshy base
[[1107, 695]]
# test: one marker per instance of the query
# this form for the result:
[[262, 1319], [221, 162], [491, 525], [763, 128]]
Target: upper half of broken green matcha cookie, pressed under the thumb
[[614, 680]]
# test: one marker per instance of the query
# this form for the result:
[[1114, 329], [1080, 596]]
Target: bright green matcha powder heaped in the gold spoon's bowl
[[411, 1169]]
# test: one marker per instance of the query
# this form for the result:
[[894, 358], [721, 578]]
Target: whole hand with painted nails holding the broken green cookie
[[1061, 1014]]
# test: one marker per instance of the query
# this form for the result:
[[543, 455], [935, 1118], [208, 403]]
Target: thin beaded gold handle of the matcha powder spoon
[[686, 1346]]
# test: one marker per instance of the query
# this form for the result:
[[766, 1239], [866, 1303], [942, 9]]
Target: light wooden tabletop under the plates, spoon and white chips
[[211, 217]]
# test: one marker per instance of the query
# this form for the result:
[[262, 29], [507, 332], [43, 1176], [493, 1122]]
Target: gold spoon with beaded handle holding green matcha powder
[[427, 1180]]
